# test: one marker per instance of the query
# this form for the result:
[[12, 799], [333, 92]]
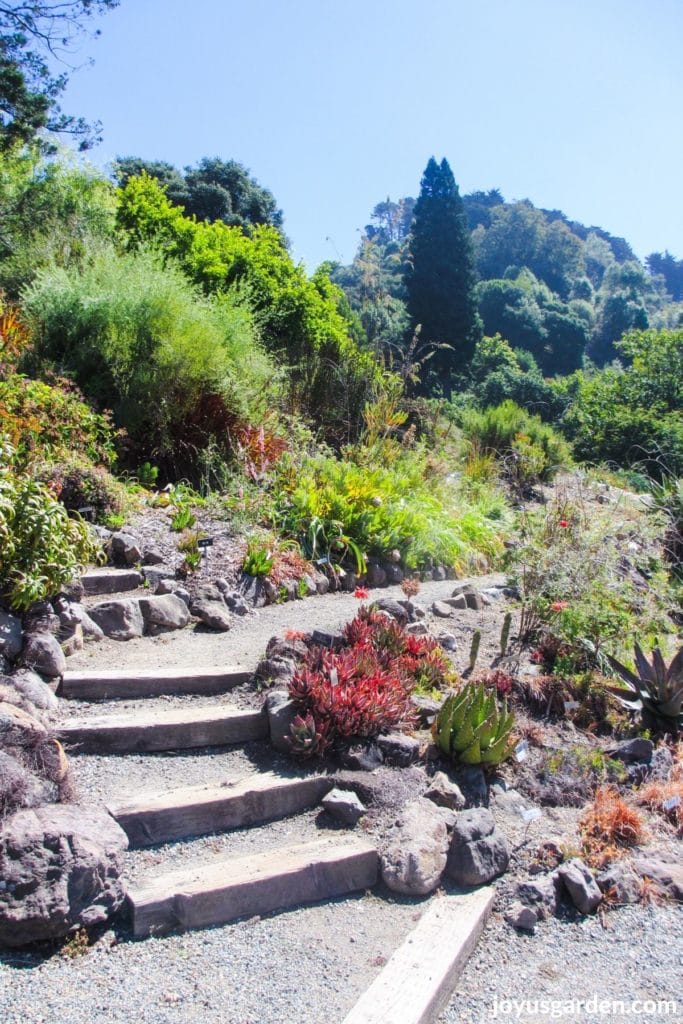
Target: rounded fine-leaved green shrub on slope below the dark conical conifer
[[530, 450]]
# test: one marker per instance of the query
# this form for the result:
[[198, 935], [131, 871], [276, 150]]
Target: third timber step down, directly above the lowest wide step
[[196, 810]]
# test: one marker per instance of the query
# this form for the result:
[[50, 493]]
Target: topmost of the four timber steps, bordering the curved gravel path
[[149, 682]]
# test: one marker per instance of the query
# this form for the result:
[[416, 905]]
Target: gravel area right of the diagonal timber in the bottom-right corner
[[637, 955]]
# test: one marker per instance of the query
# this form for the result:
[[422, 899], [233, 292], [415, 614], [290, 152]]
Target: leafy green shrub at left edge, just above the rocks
[[41, 548]]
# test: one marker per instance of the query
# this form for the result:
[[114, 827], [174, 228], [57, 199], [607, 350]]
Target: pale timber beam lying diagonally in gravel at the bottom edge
[[418, 980]]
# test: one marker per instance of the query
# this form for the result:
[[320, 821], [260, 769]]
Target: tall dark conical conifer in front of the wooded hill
[[441, 278]]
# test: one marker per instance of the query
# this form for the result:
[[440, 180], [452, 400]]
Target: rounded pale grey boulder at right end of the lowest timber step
[[414, 861]]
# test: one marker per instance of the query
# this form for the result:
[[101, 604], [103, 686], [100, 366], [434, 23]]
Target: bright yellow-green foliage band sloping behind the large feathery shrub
[[300, 318]]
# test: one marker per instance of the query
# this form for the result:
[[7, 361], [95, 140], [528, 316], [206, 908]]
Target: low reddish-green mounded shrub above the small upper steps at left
[[79, 485]]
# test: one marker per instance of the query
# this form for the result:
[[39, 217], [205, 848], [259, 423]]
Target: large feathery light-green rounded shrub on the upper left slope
[[181, 371]]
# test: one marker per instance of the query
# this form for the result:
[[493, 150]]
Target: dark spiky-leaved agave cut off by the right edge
[[657, 692]]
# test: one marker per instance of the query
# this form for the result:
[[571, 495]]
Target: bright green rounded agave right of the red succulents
[[472, 729]]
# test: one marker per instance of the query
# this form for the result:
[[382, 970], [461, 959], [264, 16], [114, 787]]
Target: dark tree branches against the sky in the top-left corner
[[35, 36]]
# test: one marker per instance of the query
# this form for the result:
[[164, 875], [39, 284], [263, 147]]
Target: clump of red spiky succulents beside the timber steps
[[364, 689]]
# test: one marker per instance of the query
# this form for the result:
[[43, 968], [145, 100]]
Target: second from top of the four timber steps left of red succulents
[[168, 730]]
